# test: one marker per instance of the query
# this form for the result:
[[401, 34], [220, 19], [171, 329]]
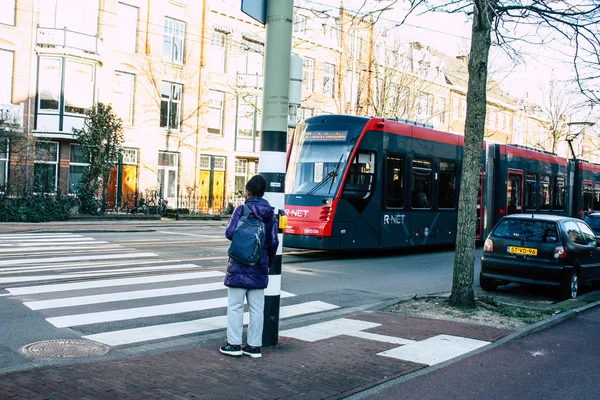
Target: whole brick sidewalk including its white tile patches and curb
[[328, 360]]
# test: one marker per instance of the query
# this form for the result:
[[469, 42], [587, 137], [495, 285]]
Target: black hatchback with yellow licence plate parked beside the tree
[[541, 249]]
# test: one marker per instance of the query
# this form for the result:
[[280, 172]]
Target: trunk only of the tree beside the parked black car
[[464, 260]]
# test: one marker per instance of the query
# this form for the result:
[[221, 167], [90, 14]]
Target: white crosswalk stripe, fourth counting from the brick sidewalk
[[62, 287]]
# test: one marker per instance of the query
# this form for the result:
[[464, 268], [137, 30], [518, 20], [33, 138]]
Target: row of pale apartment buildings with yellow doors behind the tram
[[186, 77]]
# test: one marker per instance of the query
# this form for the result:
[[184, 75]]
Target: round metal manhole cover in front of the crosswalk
[[65, 348]]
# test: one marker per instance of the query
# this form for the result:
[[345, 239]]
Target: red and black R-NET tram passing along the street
[[357, 183]]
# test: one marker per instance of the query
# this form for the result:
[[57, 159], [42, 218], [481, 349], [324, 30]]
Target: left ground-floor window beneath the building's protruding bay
[[45, 169]]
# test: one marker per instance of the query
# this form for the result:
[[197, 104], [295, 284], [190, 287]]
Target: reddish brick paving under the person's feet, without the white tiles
[[326, 369]]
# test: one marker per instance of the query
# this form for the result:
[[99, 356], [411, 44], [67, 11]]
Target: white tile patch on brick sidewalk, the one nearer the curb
[[434, 350]]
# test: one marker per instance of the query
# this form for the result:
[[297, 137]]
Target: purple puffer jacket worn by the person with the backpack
[[256, 276]]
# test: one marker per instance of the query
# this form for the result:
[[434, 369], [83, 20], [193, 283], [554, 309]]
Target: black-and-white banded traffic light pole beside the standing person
[[273, 145]]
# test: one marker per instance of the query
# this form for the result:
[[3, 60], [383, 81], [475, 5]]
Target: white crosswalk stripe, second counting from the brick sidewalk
[[141, 312]]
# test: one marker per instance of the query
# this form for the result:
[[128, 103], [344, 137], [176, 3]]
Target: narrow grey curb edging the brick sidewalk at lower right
[[515, 335]]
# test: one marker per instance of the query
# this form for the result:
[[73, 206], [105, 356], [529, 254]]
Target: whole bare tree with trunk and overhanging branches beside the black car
[[573, 21]]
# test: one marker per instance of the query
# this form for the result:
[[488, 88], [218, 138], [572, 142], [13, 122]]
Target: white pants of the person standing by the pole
[[235, 315]]
